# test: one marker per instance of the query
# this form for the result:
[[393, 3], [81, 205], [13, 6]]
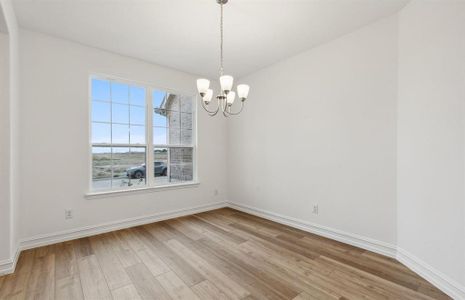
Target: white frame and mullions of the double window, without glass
[[149, 146]]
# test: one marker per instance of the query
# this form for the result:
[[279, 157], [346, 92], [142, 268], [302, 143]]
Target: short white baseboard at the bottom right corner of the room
[[435, 277]]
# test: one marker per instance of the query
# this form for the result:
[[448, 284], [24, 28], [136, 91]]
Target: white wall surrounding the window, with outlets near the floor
[[54, 149]]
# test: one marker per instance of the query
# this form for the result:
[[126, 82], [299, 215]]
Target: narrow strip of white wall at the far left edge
[[9, 133]]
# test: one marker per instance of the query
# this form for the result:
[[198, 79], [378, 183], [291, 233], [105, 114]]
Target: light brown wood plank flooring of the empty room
[[221, 254]]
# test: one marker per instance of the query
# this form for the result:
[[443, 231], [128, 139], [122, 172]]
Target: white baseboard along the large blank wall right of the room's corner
[[335, 234]]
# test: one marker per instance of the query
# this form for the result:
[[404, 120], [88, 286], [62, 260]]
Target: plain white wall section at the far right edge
[[431, 135]]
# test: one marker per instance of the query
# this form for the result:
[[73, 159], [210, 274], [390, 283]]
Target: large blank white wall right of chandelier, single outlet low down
[[319, 128]]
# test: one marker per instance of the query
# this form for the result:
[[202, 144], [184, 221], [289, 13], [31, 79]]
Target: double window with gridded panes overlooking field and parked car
[[135, 126]]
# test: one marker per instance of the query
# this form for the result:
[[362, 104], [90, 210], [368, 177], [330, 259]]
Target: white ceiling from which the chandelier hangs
[[184, 34]]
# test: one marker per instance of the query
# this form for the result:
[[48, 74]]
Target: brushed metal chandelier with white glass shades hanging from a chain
[[226, 97]]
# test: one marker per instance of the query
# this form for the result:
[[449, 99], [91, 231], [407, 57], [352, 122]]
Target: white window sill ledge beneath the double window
[[143, 190]]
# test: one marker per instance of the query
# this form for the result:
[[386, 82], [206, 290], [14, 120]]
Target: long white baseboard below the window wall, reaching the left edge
[[8, 266]]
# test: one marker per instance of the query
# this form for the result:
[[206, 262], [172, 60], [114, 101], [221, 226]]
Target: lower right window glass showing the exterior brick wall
[[181, 165]]
